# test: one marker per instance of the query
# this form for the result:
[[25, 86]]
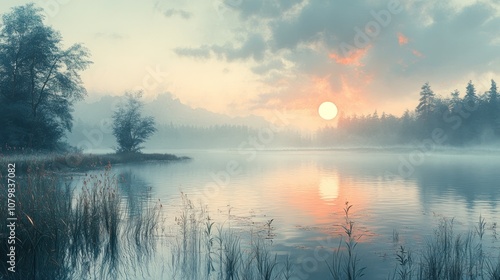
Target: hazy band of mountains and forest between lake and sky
[[471, 120]]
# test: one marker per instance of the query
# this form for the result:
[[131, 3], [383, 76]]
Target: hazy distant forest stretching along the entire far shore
[[455, 120]]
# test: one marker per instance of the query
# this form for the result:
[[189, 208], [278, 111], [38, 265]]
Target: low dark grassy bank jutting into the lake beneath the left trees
[[27, 162]]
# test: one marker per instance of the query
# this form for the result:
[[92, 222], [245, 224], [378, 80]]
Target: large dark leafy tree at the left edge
[[39, 80]]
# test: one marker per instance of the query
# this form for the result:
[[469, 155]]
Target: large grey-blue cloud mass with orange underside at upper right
[[455, 43]]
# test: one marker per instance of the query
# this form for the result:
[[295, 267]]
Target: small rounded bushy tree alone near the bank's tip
[[129, 127]]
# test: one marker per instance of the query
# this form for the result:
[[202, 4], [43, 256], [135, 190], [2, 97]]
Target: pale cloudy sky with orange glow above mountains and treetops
[[241, 57]]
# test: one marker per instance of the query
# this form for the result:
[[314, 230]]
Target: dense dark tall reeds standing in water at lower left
[[64, 235]]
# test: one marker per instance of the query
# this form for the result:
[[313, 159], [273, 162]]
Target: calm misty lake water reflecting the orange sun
[[397, 197]]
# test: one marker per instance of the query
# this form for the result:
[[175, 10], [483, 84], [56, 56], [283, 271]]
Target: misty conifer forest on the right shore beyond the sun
[[455, 120]]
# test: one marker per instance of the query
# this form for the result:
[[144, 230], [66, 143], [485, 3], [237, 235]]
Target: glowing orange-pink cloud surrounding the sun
[[301, 96]]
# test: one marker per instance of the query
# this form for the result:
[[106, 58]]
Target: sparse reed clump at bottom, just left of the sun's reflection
[[203, 249]]
